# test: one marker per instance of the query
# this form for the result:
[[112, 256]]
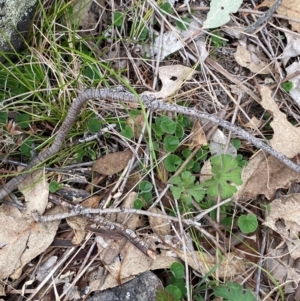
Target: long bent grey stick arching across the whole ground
[[119, 94]]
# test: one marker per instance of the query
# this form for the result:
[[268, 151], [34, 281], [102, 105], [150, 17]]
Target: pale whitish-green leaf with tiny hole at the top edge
[[219, 12]]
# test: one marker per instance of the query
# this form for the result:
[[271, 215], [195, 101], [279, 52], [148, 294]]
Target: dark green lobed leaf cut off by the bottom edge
[[233, 292]]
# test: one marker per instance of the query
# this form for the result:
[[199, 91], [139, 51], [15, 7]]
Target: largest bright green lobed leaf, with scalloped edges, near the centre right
[[225, 170]]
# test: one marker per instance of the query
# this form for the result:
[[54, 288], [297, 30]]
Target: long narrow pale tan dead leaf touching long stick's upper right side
[[286, 138]]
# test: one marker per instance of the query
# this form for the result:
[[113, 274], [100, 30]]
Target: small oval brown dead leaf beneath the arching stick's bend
[[112, 163]]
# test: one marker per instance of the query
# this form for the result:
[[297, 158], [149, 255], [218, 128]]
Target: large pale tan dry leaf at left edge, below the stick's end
[[20, 237]]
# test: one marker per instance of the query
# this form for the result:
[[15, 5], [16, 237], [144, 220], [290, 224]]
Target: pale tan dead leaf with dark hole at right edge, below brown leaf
[[284, 218]]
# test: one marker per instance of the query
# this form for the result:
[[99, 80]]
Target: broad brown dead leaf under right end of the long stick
[[264, 175]]
